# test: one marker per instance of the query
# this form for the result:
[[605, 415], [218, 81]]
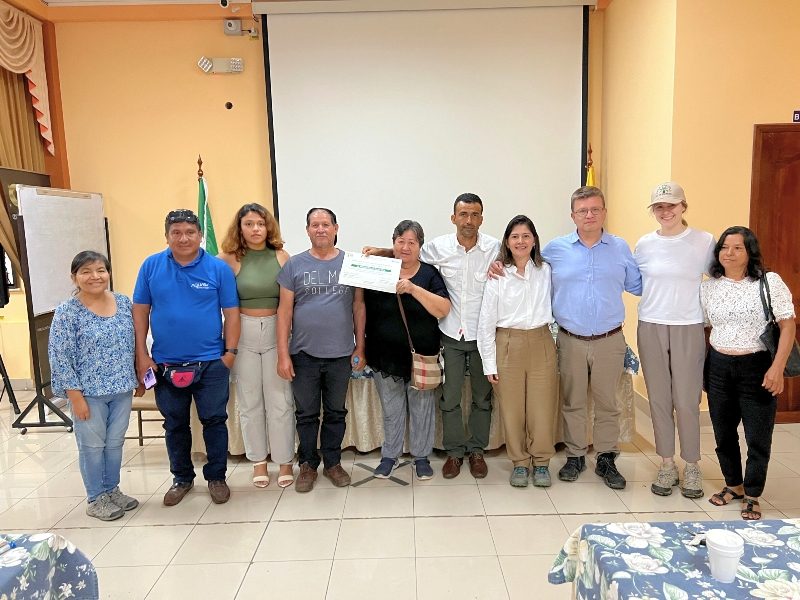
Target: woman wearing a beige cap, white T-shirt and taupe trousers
[[673, 260]]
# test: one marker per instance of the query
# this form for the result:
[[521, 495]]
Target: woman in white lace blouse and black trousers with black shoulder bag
[[742, 379]]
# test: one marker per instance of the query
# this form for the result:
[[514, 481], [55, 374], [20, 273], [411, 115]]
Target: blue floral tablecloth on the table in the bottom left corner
[[45, 566]]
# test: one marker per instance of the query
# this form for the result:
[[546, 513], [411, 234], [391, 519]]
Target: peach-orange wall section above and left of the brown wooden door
[[736, 66]]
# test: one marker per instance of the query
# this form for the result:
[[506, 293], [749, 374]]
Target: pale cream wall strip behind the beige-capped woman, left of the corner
[[637, 111]]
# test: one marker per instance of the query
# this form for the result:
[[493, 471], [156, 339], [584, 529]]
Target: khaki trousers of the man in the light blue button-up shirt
[[598, 364]]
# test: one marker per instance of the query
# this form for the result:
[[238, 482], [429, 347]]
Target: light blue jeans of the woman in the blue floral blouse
[[100, 440]]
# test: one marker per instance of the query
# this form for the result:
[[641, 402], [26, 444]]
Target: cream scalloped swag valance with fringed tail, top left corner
[[22, 51]]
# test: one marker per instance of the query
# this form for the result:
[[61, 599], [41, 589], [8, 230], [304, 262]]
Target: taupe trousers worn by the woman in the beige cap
[[672, 363]]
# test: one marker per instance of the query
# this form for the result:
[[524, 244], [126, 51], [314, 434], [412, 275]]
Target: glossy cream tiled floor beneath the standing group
[[437, 539]]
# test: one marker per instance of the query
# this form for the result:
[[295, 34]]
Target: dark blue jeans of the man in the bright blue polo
[[210, 392]]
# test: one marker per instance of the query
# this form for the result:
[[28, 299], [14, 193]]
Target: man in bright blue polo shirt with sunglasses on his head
[[181, 294]]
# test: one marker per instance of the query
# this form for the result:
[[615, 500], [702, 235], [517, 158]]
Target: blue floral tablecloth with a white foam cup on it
[[655, 560]]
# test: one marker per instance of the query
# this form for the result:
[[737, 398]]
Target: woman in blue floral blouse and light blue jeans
[[91, 361]]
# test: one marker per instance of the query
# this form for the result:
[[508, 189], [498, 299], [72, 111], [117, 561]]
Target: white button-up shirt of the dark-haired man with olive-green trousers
[[464, 273]]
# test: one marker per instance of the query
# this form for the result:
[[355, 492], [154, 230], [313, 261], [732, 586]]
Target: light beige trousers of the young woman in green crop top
[[266, 404]]
